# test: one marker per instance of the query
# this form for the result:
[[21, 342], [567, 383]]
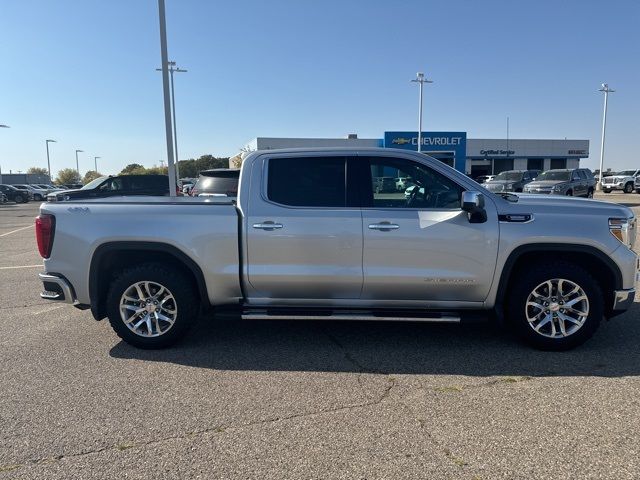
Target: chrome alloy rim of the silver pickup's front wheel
[[557, 308]]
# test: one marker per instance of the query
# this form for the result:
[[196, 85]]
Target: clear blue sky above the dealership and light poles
[[83, 73]]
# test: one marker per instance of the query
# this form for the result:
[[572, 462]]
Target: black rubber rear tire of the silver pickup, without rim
[[176, 282]]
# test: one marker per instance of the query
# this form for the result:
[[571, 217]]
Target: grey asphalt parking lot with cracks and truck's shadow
[[303, 400]]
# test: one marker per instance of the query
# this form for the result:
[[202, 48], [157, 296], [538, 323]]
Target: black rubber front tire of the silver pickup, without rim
[[533, 276]]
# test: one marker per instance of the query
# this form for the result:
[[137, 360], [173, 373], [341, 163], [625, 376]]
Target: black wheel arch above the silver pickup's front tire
[[595, 261]]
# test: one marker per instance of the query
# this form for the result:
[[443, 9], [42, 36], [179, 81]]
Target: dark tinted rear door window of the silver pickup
[[307, 181]]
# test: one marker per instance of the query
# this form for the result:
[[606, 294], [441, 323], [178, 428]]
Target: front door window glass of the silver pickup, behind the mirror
[[400, 183]]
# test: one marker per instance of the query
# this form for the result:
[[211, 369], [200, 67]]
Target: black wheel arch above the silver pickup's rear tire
[[110, 258]]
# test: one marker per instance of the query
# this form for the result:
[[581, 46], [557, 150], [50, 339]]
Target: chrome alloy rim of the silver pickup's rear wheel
[[148, 309]]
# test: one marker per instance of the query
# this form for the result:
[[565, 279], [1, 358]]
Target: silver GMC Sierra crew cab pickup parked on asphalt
[[308, 237]]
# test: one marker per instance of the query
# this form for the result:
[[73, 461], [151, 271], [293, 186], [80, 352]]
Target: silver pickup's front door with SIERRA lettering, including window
[[418, 243]]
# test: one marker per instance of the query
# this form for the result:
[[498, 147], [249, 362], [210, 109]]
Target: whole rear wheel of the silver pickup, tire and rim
[[151, 306]]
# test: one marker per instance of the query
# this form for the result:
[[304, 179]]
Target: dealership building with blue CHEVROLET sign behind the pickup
[[472, 156]]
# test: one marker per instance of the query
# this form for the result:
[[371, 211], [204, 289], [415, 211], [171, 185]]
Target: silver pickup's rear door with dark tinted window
[[304, 240]]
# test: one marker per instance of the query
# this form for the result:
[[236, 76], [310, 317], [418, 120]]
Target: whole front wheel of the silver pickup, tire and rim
[[555, 306]]
